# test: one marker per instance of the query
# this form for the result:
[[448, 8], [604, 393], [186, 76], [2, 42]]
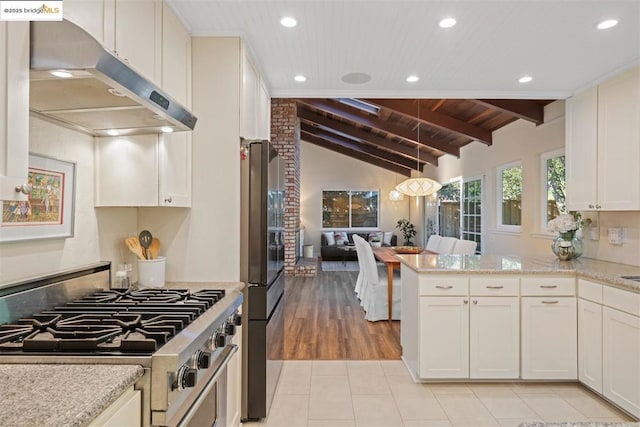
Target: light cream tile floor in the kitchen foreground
[[381, 393]]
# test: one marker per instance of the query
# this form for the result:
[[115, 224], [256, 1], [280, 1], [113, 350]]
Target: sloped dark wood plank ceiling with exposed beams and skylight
[[402, 135]]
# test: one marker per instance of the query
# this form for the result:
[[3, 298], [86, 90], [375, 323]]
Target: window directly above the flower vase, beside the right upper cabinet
[[554, 186]]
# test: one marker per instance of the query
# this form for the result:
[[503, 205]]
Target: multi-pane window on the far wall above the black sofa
[[350, 209]]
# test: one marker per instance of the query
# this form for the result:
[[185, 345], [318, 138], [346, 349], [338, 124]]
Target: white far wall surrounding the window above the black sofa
[[322, 169]]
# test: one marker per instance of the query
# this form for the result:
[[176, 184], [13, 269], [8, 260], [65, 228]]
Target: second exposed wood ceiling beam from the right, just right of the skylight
[[435, 119]]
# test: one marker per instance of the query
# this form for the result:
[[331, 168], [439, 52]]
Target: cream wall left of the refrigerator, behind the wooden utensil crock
[[203, 243]]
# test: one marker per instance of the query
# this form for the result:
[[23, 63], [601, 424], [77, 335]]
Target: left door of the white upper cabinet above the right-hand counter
[[582, 149]]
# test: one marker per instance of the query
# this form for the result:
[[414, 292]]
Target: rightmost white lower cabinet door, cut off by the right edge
[[621, 358]]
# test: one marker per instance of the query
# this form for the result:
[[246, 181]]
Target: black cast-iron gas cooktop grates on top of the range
[[108, 322]]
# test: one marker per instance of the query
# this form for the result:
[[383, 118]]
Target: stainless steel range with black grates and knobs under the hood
[[181, 337]]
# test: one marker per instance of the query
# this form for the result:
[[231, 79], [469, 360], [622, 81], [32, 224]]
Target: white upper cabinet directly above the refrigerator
[[255, 103]]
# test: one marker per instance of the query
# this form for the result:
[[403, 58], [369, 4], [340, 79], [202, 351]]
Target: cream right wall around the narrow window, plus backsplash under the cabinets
[[525, 142]]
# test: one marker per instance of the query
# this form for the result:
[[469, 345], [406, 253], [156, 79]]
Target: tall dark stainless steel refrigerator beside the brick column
[[262, 268]]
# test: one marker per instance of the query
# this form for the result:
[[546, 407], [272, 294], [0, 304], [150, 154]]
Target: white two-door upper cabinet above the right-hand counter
[[603, 145]]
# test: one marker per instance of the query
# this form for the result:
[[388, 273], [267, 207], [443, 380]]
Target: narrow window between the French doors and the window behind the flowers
[[510, 196]]
